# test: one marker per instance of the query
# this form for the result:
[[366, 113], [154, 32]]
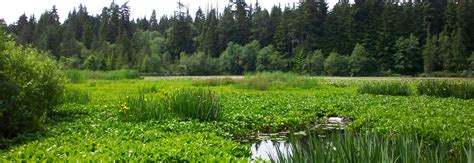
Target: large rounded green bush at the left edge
[[31, 87]]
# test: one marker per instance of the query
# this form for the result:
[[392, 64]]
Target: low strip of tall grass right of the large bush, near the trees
[[79, 76]]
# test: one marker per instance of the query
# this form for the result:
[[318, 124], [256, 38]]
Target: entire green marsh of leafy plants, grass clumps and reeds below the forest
[[219, 119]]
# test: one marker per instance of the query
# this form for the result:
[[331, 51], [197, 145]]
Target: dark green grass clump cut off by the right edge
[[446, 88]]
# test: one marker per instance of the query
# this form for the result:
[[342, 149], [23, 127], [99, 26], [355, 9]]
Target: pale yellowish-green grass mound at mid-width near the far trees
[[277, 80]]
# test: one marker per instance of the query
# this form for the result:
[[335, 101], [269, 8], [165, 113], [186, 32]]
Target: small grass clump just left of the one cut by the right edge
[[393, 88]]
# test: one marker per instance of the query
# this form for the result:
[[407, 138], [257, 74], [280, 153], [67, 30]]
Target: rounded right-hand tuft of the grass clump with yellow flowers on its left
[[197, 104]]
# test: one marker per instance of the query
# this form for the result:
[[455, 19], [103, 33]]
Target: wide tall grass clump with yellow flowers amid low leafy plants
[[186, 103]]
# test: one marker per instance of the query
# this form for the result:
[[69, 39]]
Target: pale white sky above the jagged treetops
[[12, 9]]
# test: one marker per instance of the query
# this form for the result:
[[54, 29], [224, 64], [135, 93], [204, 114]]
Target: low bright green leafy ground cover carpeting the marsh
[[93, 129]]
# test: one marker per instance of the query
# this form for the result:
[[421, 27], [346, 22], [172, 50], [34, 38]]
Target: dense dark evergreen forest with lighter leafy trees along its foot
[[367, 37]]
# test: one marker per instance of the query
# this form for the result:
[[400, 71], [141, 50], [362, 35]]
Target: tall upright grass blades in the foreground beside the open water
[[371, 148]]
